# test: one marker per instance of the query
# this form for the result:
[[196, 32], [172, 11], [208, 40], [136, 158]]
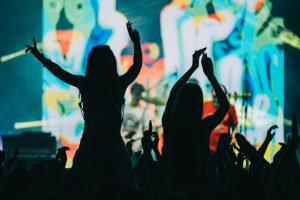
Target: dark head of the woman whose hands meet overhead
[[189, 105]]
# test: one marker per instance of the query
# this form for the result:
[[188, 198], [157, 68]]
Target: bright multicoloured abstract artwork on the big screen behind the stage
[[247, 56]]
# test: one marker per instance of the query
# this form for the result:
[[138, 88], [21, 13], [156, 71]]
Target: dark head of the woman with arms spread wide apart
[[101, 64]]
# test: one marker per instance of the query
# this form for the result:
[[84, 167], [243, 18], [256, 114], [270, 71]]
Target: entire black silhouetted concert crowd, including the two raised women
[[185, 169]]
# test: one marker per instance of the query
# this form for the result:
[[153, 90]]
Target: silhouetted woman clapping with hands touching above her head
[[186, 134]]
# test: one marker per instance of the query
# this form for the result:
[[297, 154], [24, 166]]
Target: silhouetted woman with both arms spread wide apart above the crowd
[[102, 93]]
